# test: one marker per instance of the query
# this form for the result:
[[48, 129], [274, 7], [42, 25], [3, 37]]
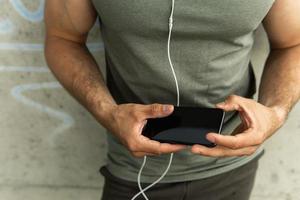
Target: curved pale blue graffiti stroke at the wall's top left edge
[[33, 16]]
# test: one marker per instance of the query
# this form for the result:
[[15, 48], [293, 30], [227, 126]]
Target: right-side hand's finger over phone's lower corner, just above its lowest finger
[[244, 139]]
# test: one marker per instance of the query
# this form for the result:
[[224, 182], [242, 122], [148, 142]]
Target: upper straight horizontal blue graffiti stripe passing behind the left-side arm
[[97, 46]]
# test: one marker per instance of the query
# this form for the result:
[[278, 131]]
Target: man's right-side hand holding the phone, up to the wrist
[[259, 122]]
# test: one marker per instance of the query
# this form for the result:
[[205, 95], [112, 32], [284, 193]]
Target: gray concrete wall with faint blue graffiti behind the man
[[52, 148]]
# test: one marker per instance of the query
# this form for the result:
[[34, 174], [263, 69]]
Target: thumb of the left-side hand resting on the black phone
[[158, 110]]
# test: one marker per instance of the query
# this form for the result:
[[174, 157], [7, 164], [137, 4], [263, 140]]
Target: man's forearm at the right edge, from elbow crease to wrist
[[280, 82]]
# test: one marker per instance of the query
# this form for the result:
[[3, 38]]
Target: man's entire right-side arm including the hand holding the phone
[[279, 88]]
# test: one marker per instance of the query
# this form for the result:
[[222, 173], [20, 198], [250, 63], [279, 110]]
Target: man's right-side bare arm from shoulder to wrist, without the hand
[[280, 82]]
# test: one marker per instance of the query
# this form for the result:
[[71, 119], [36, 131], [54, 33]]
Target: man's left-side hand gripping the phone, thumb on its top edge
[[127, 122]]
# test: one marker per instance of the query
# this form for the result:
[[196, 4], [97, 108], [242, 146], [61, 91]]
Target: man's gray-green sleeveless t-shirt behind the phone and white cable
[[210, 48]]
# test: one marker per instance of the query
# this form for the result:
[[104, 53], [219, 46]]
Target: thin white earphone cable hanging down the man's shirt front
[[177, 89]]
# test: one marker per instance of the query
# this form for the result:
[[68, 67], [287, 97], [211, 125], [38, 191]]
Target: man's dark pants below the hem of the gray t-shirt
[[233, 185]]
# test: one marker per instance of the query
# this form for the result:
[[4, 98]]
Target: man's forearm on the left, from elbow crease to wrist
[[75, 68]]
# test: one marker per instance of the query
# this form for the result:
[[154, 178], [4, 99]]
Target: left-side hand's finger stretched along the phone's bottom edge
[[152, 146]]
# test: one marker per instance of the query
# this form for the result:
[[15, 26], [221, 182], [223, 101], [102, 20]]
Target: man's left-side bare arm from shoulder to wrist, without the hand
[[67, 27]]
